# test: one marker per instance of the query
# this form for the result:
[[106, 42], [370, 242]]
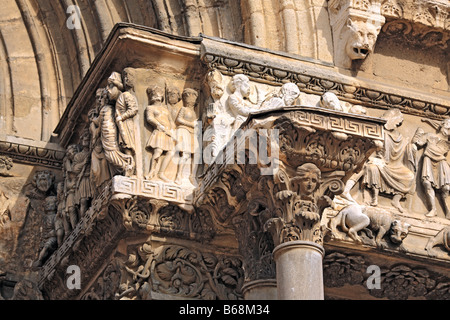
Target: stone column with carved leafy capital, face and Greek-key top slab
[[275, 207]]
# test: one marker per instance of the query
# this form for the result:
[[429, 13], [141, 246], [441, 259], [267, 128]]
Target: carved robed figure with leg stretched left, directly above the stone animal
[[392, 169]]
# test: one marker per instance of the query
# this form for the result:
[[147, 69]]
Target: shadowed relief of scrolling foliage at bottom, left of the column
[[170, 271]]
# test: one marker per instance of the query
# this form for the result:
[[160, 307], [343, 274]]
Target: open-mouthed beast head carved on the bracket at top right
[[361, 38]]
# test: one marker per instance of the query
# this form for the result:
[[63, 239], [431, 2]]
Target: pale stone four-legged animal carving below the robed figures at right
[[355, 218]]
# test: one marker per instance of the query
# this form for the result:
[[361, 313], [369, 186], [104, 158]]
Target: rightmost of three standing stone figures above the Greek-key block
[[185, 123]]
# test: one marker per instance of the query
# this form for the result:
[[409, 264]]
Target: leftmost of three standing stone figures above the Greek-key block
[[161, 141]]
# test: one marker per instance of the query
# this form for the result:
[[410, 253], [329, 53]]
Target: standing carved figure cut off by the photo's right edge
[[435, 168]]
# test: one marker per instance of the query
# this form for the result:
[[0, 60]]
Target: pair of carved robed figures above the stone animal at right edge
[[393, 169]]
